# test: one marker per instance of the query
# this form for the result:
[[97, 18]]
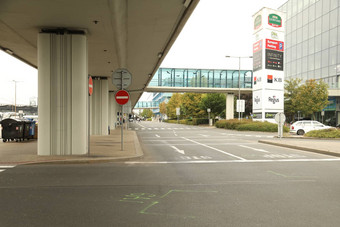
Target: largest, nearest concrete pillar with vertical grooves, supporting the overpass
[[63, 92]]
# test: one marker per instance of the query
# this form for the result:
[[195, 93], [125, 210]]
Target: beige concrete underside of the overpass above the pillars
[[132, 34]]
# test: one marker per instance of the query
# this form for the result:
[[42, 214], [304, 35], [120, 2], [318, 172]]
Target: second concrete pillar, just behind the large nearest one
[[99, 103]]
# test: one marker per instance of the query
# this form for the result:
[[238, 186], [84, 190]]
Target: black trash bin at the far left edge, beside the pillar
[[12, 129]]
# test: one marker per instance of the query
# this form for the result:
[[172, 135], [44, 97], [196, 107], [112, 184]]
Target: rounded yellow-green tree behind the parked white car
[[312, 97]]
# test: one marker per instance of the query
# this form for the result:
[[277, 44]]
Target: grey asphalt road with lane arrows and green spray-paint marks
[[190, 176]]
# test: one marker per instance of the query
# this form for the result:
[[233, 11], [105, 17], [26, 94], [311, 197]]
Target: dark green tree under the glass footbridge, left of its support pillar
[[215, 102]]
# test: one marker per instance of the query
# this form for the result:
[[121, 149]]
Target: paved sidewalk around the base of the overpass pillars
[[102, 149]]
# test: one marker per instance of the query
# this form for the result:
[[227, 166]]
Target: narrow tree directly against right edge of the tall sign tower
[[291, 94]]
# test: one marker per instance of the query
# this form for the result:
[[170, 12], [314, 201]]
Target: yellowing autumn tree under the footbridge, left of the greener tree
[[191, 105]]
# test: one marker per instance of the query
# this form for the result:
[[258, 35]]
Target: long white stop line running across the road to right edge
[[235, 161]]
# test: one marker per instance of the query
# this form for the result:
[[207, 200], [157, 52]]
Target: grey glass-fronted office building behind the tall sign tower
[[312, 46]]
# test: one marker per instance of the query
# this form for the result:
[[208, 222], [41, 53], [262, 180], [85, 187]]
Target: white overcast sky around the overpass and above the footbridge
[[215, 29]]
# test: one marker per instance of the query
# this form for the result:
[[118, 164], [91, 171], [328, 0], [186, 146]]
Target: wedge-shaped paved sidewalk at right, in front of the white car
[[322, 146]]
